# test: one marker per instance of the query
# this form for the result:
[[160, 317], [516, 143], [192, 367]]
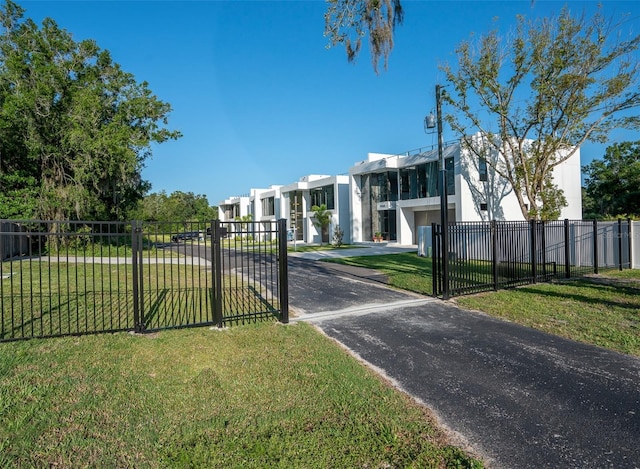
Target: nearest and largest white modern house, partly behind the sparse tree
[[395, 194]]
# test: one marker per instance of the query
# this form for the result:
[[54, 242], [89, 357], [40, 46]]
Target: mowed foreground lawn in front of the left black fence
[[262, 395]]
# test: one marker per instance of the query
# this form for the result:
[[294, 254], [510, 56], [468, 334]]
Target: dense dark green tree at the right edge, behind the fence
[[612, 185]]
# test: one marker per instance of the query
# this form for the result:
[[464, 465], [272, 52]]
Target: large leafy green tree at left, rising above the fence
[[75, 130]]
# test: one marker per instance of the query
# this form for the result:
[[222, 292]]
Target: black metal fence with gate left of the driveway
[[89, 277]]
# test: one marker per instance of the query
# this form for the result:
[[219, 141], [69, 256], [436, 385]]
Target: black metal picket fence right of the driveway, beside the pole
[[489, 256]]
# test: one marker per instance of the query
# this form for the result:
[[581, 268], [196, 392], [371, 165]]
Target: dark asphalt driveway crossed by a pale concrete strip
[[518, 397]]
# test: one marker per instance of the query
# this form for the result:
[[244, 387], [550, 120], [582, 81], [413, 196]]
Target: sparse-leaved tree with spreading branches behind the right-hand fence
[[537, 97]]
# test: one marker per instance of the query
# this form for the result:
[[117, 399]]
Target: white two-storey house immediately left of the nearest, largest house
[[298, 198]]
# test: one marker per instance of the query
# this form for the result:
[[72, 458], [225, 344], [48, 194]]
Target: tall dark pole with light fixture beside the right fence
[[430, 122]]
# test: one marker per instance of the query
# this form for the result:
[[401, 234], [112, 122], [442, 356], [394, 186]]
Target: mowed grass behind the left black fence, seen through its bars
[[45, 299]]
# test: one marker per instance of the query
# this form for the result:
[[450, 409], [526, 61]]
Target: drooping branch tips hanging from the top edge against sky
[[348, 21]]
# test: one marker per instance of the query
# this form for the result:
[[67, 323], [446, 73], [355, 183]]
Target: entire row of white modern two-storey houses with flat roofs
[[396, 194]]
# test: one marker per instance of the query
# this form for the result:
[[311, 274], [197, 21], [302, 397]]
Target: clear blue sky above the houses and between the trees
[[260, 99]]
